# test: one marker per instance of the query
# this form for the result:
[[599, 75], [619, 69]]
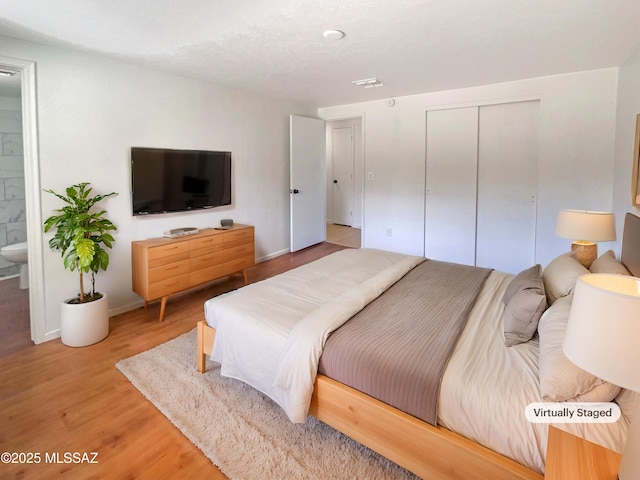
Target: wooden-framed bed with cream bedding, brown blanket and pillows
[[479, 429]]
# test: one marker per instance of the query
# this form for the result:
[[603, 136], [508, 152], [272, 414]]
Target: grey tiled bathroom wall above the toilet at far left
[[13, 226]]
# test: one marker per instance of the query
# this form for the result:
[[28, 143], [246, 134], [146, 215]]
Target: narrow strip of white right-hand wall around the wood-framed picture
[[628, 108]]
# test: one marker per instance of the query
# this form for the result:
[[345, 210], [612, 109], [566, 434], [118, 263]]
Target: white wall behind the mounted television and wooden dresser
[[91, 110]]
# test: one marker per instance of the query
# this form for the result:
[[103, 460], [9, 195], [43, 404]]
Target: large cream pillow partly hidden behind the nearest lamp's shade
[[560, 379]]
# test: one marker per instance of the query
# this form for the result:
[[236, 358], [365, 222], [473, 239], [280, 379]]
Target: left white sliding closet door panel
[[450, 210]]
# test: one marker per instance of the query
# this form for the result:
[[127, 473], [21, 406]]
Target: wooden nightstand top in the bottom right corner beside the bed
[[574, 458]]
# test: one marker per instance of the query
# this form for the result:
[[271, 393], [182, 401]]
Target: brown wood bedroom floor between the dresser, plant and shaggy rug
[[56, 400]]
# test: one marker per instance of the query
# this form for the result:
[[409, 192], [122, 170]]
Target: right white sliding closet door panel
[[507, 185]]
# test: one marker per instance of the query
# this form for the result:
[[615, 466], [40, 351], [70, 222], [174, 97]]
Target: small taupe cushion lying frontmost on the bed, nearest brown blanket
[[524, 301]]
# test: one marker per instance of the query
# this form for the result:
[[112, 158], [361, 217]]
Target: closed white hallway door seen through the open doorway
[[343, 159]]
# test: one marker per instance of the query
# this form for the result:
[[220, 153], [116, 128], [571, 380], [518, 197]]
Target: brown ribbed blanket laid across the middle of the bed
[[396, 348]]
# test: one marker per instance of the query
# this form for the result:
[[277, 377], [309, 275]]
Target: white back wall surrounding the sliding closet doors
[[577, 119]]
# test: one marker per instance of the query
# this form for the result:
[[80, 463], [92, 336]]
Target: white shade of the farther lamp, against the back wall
[[586, 225]]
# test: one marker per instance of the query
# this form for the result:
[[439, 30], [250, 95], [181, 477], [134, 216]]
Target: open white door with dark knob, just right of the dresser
[[307, 181]]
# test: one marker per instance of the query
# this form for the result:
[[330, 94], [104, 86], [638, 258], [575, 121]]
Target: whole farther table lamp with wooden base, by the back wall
[[585, 228]]
